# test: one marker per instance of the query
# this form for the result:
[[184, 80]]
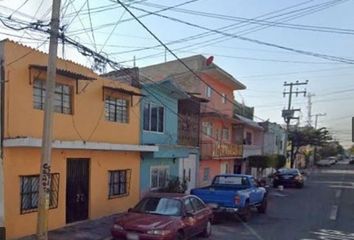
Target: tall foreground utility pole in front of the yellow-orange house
[[44, 178]]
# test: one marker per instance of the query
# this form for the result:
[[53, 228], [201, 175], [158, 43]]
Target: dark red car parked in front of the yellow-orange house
[[164, 216]]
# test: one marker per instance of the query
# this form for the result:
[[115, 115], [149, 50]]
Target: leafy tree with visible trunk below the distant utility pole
[[305, 136]]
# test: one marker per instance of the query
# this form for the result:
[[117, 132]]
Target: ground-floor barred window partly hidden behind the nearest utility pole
[[29, 192]]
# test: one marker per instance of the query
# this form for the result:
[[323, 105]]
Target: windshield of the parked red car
[[159, 206]]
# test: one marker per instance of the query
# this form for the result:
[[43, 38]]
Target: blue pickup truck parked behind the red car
[[235, 194]]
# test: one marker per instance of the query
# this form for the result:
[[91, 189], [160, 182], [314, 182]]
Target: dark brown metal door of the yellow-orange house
[[77, 189]]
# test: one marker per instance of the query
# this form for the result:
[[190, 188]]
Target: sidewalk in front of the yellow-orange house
[[98, 229]]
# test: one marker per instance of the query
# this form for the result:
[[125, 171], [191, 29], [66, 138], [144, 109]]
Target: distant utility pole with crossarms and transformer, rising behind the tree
[[288, 114]]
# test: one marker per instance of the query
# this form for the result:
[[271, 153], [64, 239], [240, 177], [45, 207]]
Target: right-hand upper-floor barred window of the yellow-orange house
[[117, 109]]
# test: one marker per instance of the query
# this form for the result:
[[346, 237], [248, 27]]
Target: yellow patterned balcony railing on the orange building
[[220, 150]]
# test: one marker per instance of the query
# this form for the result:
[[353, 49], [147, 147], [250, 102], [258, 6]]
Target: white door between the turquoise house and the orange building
[[188, 169]]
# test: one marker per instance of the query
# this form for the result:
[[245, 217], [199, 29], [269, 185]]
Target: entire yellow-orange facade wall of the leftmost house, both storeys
[[87, 123]]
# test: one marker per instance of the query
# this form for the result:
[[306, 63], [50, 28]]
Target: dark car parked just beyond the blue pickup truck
[[288, 177]]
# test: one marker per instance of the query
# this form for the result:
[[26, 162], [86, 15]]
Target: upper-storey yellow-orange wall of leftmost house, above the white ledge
[[88, 119]]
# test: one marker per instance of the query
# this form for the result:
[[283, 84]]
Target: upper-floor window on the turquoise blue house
[[153, 118]]
